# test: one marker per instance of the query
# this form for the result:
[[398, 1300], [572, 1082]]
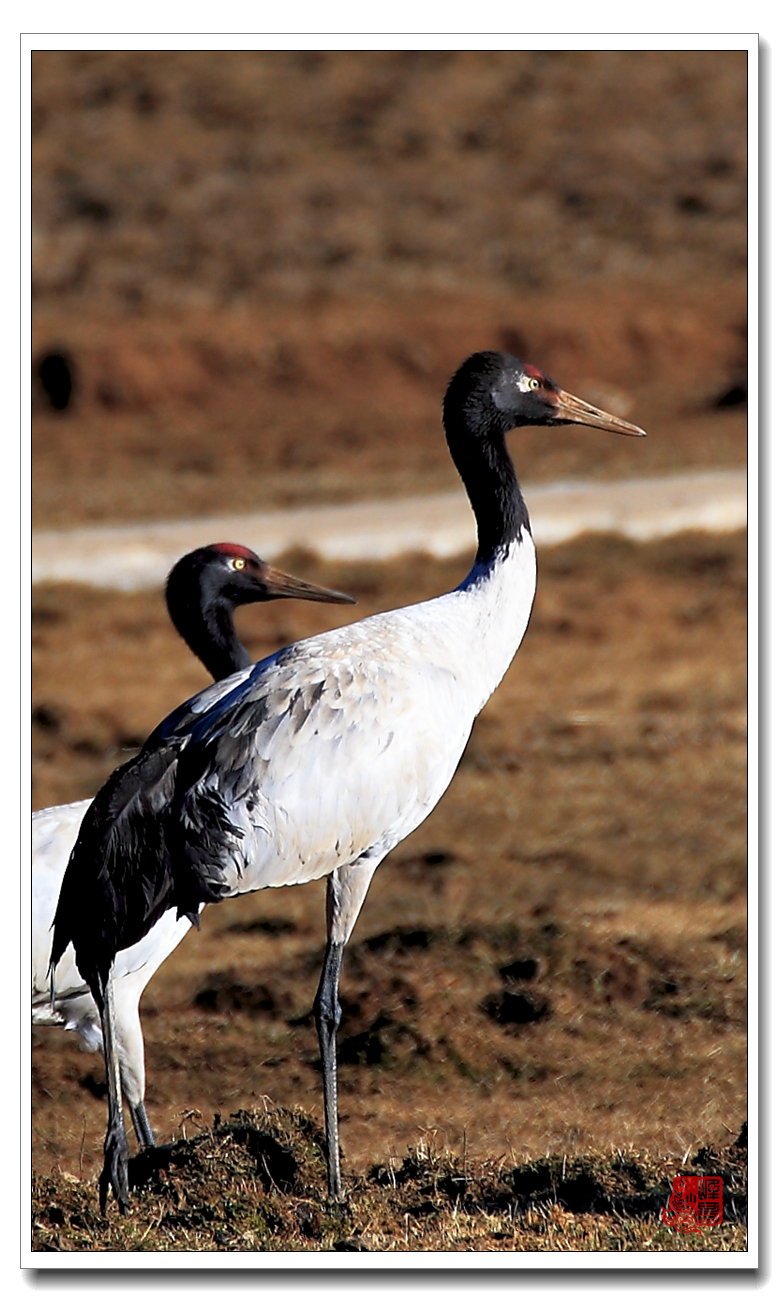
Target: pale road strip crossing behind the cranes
[[136, 557]]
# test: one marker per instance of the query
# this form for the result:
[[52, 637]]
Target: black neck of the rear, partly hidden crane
[[206, 622]]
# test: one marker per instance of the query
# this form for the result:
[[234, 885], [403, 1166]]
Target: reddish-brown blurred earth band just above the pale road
[[231, 412]]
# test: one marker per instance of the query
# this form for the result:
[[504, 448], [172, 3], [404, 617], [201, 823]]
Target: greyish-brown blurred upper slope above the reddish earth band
[[200, 178]]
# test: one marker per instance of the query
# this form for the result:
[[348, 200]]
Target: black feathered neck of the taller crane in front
[[477, 443]]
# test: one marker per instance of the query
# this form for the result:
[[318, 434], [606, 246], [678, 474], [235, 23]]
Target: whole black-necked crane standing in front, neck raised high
[[320, 760]]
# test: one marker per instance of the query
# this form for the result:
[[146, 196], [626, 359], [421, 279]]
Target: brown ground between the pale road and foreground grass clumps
[[554, 963]]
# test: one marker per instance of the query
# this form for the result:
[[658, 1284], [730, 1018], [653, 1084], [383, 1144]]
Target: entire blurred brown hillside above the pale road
[[255, 273]]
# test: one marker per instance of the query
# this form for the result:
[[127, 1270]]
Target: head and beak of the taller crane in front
[[494, 393]]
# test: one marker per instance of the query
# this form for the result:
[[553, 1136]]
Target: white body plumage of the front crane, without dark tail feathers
[[339, 747]]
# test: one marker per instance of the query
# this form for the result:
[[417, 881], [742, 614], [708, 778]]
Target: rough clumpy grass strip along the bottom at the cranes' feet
[[257, 1183]]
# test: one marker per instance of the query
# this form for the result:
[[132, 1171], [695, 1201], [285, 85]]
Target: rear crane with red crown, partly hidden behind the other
[[203, 593]]
